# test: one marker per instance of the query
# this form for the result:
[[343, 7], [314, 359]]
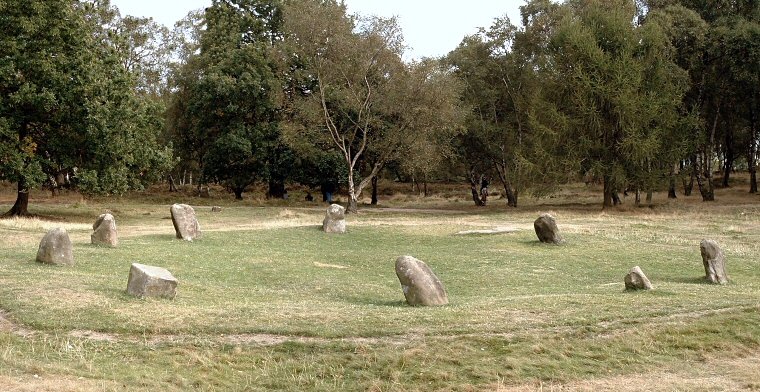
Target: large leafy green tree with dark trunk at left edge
[[68, 105]]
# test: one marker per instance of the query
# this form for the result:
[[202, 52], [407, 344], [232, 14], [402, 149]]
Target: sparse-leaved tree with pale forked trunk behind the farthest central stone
[[365, 96]]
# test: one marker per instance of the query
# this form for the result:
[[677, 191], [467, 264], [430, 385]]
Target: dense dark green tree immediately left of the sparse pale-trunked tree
[[226, 108]]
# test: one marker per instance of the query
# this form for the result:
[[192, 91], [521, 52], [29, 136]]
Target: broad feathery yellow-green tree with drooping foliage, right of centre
[[618, 90]]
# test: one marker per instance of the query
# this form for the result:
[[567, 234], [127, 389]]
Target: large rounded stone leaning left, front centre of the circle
[[420, 285]]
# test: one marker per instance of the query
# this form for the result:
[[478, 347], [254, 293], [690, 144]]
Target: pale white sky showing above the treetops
[[431, 28]]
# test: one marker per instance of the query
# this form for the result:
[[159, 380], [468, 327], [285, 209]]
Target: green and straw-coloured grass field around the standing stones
[[266, 301]]
